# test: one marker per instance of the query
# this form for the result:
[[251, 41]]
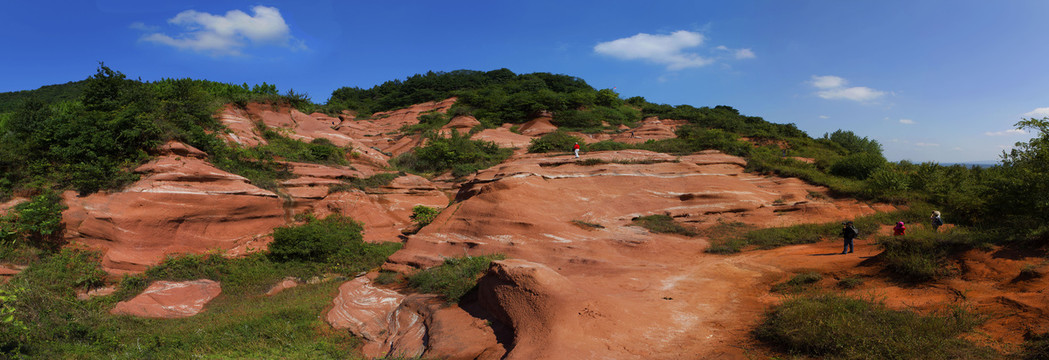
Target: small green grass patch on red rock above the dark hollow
[[455, 278]]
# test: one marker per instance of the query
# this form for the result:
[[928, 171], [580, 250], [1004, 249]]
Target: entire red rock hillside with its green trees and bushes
[[676, 234]]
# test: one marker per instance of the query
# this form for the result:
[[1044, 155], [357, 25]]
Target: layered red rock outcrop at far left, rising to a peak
[[182, 205]]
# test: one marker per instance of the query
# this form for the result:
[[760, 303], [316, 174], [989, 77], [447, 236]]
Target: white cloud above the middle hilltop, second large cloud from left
[[669, 50]]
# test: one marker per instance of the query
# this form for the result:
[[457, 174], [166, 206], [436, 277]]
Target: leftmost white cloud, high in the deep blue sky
[[229, 34]]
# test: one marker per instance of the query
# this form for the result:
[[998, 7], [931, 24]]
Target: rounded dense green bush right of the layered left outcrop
[[316, 241]]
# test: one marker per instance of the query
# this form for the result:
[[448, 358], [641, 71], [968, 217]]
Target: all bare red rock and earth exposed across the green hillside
[[581, 281]]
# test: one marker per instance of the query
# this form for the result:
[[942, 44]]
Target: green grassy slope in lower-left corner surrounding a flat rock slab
[[50, 323]]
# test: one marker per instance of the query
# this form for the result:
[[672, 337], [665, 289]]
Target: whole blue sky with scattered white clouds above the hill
[[940, 81]]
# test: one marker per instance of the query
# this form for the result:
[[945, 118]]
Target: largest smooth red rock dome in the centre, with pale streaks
[[634, 294]]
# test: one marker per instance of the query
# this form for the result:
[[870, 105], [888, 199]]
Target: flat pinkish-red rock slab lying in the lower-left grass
[[168, 300]]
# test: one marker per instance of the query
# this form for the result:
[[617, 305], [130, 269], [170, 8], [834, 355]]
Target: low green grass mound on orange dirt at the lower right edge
[[834, 327]]
